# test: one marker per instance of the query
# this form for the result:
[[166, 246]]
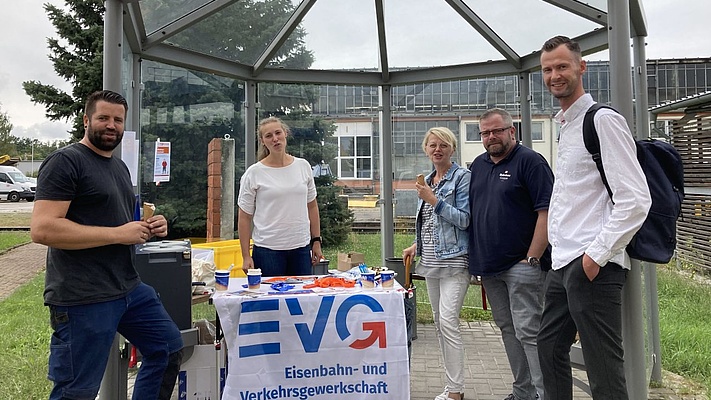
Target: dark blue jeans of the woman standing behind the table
[[282, 262]]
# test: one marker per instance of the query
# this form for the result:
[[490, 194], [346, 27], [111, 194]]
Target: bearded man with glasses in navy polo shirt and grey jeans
[[510, 190]]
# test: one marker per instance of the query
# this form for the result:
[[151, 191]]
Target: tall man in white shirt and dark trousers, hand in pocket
[[588, 233]]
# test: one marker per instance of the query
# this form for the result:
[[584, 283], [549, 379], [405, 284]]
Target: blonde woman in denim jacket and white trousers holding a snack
[[442, 244]]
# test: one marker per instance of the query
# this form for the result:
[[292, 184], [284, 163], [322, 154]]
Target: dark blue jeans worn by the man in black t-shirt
[[83, 335]]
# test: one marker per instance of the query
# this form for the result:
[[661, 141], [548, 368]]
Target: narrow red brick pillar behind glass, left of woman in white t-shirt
[[214, 189]]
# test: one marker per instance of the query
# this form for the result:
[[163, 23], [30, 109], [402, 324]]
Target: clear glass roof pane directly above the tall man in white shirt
[[512, 22]]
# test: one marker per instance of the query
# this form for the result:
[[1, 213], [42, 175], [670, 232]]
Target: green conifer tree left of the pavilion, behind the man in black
[[77, 58]]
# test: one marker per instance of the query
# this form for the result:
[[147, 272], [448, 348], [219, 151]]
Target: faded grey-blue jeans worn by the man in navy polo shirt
[[516, 299]]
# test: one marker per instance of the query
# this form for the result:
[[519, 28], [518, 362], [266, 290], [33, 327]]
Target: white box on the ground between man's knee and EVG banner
[[198, 377]]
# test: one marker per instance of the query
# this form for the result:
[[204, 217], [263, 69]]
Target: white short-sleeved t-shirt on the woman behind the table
[[276, 197]]
